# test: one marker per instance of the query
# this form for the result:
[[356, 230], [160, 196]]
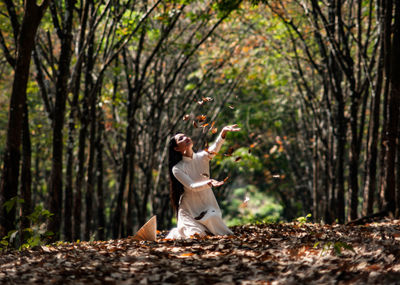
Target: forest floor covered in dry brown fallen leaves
[[289, 253]]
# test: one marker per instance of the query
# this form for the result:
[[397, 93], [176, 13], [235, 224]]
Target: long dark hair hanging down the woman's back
[[175, 187]]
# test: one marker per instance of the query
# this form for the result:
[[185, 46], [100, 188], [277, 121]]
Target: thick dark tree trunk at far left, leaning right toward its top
[[25, 42]]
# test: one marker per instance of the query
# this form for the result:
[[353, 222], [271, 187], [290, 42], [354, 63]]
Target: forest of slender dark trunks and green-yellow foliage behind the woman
[[95, 88]]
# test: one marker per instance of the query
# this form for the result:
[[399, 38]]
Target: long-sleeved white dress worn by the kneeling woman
[[198, 212]]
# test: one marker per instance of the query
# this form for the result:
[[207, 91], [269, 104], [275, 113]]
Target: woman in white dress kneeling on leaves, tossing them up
[[190, 187]]
